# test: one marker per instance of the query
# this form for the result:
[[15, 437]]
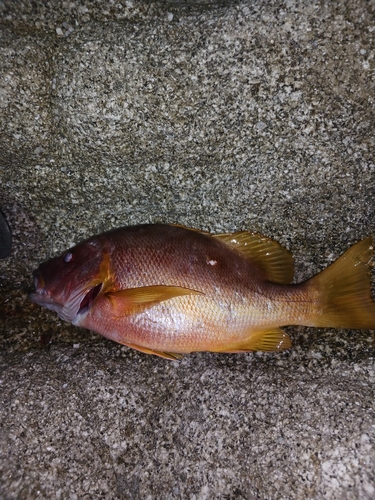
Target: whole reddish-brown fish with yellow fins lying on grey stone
[[168, 290]]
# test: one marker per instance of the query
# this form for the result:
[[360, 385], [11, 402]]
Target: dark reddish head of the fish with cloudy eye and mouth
[[70, 283]]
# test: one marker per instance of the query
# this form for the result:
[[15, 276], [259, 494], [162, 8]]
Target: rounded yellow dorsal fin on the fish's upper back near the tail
[[267, 255]]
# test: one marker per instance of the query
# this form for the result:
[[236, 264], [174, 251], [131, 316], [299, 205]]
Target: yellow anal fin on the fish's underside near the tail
[[273, 339]]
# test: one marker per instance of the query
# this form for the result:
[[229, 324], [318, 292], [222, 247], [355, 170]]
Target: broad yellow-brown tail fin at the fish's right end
[[344, 290]]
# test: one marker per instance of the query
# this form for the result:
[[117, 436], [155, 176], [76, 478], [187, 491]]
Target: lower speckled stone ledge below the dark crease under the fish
[[100, 422]]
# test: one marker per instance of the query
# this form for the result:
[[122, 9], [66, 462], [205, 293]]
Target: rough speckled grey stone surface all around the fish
[[217, 115]]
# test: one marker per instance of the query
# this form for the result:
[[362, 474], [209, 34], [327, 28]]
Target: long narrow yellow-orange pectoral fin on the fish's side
[[135, 300]]
